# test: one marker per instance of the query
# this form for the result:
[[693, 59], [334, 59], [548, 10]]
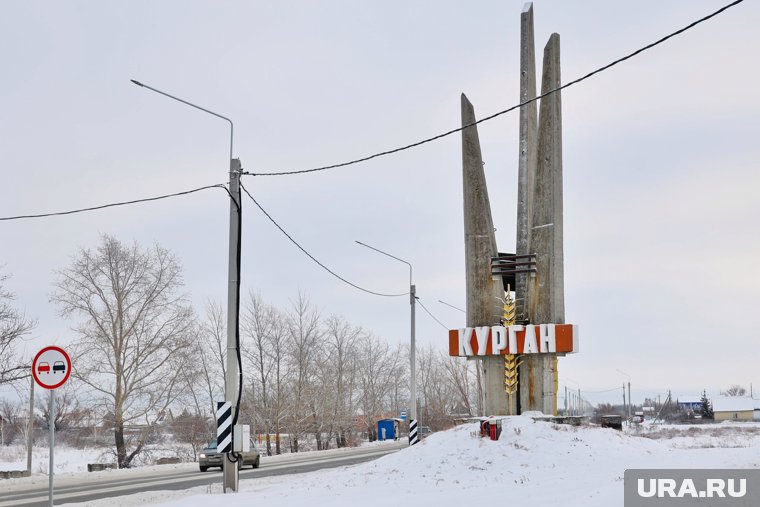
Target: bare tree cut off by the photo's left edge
[[13, 326]]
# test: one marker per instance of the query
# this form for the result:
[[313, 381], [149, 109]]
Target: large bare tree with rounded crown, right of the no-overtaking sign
[[132, 344]]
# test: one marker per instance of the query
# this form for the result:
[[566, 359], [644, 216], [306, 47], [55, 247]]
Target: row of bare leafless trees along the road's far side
[[311, 380]]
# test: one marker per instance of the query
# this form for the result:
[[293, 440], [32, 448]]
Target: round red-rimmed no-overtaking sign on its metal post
[[51, 369]]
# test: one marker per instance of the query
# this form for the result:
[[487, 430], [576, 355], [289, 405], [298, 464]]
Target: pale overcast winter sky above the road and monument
[[660, 161]]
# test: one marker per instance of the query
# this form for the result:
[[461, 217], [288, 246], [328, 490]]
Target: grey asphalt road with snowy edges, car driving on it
[[109, 485]]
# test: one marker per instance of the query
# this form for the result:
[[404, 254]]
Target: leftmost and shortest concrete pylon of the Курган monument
[[483, 290]]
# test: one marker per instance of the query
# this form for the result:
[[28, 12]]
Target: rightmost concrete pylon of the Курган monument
[[546, 292]]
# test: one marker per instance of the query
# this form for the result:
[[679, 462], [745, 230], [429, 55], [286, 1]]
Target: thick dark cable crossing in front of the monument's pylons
[[505, 111]]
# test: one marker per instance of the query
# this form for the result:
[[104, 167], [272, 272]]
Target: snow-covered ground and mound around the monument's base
[[534, 462]]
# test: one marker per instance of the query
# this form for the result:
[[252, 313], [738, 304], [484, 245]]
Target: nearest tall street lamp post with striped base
[[231, 382]]
